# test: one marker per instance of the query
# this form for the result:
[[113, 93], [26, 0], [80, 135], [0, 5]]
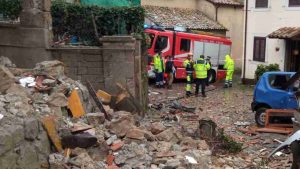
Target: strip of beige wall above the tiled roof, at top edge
[[192, 4]]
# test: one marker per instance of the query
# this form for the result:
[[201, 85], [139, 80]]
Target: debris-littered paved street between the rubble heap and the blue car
[[230, 109]]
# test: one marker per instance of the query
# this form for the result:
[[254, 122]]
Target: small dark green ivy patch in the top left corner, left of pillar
[[10, 9]]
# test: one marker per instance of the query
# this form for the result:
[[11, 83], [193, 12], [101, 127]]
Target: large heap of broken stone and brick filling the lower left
[[51, 121]]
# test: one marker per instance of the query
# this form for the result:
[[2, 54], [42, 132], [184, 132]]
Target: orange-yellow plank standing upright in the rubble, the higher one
[[75, 105]]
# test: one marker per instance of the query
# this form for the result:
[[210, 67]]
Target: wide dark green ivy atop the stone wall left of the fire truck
[[76, 20]]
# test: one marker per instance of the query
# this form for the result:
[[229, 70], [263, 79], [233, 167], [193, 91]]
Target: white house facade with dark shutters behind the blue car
[[262, 22]]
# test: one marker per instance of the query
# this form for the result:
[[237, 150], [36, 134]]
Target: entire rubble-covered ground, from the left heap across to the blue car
[[48, 120]]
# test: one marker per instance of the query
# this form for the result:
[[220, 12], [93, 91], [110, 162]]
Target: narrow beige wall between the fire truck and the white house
[[233, 20]]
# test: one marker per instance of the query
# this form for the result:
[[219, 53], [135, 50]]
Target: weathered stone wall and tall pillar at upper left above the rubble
[[25, 43]]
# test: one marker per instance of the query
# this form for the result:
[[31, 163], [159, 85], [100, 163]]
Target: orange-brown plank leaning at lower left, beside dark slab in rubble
[[50, 126]]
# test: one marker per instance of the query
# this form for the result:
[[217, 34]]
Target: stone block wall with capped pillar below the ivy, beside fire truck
[[117, 61]]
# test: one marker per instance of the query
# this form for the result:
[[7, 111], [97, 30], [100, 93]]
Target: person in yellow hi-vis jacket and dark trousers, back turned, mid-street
[[201, 67]]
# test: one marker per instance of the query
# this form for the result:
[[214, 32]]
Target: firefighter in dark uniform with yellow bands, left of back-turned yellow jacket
[[188, 64]]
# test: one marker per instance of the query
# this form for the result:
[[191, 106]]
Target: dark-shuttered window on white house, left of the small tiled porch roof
[[259, 51]]
